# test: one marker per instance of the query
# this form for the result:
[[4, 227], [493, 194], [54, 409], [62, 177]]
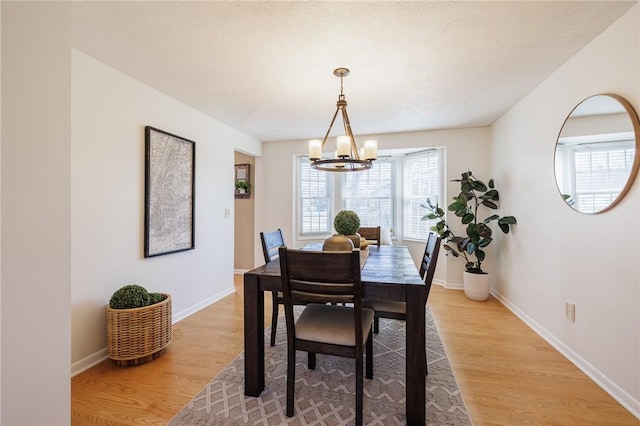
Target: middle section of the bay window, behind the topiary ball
[[371, 194]]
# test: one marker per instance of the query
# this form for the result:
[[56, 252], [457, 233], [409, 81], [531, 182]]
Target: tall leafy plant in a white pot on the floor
[[473, 195]]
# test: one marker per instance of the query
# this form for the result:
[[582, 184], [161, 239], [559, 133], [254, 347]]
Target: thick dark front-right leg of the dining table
[[416, 369]]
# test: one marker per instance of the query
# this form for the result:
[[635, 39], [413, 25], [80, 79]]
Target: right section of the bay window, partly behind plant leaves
[[422, 181]]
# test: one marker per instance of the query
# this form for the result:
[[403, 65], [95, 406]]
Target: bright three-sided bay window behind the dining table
[[389, 194]]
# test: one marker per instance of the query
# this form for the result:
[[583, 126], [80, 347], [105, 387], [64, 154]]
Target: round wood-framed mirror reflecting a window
[[596, 160]]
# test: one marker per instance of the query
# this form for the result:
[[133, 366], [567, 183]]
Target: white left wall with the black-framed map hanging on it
[[109, 111]]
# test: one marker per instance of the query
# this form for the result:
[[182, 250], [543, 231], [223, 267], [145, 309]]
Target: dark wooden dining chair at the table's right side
[[398, 310]]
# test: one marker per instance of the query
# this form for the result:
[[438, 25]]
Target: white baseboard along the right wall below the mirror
[[616, 392]]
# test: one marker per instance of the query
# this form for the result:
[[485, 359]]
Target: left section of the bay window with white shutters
[[314, 191]]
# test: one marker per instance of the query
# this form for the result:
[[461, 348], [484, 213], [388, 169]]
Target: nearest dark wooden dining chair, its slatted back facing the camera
[[316, 278]]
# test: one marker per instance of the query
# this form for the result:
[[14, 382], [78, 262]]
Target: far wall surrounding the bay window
[[466, 149]]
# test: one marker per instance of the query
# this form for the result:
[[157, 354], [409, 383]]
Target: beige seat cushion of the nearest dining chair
[[331, 324]]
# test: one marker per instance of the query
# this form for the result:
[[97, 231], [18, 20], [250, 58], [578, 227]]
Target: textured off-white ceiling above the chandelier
[[266, 68]]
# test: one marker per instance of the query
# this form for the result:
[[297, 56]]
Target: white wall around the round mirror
[[556, 254]]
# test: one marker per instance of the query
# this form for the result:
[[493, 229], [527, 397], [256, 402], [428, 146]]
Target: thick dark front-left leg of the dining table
[[253, 336]]
